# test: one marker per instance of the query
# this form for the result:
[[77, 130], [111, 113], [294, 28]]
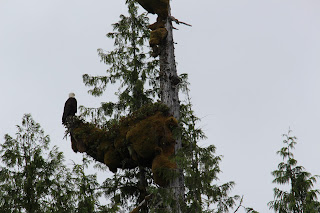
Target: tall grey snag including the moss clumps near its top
[[161, 40]]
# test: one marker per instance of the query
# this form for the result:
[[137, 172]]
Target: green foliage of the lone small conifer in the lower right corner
[[301, 197]]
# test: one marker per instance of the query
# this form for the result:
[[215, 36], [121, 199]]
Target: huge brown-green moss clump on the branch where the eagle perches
[[134, 140]]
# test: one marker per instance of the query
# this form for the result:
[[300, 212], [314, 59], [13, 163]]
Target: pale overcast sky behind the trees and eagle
[[253, 67]]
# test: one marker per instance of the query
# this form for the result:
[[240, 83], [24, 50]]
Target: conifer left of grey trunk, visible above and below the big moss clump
[[129, 65]]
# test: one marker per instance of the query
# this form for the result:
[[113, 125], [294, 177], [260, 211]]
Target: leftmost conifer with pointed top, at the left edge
[[30, 173]]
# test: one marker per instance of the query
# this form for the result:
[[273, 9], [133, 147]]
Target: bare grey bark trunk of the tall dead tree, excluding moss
[[169, 81]]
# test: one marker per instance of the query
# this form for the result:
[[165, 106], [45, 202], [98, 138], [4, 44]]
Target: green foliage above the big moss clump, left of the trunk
[[128, 65]]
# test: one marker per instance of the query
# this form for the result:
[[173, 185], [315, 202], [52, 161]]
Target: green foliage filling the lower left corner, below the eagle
[[34, 179]]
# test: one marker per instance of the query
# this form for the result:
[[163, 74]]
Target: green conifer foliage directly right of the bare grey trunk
[[201, 167]]
